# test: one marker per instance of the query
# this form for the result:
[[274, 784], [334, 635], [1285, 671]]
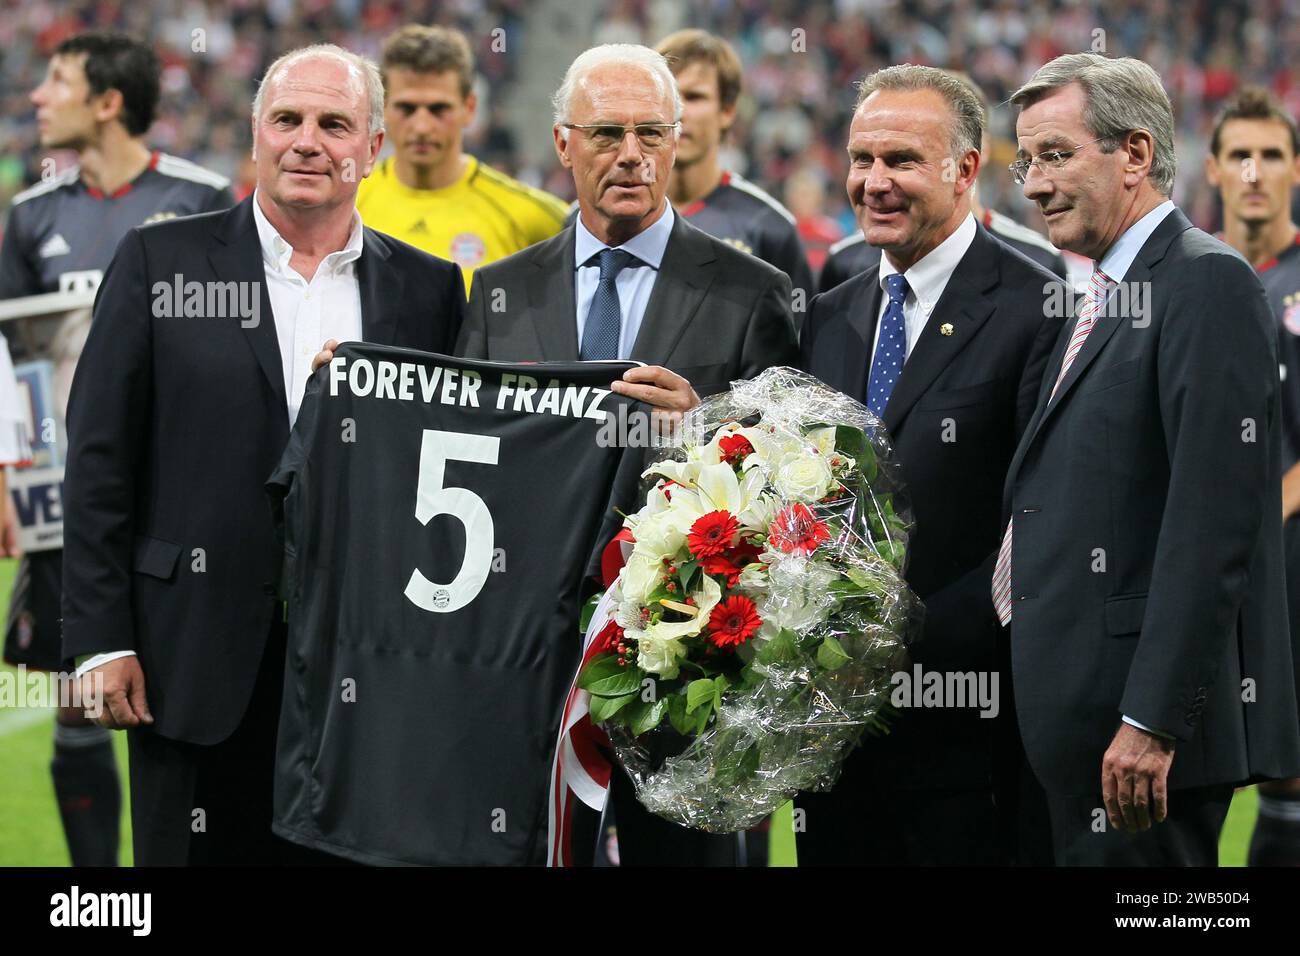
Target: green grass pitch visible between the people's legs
[[31, 833]]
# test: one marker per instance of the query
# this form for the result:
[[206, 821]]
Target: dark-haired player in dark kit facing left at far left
[[98, 98]]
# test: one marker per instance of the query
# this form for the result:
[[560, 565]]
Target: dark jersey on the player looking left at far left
[[62, 235]]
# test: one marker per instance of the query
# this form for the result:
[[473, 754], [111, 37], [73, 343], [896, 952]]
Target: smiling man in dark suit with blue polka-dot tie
[[946, 339]]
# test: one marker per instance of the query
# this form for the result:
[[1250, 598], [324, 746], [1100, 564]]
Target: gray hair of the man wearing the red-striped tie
[[1121, 96]]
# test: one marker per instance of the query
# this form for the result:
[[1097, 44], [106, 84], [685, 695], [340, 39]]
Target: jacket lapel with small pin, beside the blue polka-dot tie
[[964, 308]]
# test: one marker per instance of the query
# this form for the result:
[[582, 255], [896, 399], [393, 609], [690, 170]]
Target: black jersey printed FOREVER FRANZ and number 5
[[437, 514]]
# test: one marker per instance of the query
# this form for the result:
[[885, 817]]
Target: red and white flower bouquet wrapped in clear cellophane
[[751, 638]]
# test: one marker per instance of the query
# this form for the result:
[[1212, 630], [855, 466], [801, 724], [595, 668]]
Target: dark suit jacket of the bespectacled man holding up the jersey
[[716, 314]]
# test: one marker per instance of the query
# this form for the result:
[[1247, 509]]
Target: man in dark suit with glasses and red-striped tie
[[1141, 573]]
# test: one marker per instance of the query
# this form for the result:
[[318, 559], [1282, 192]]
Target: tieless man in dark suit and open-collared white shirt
[[196, 365]]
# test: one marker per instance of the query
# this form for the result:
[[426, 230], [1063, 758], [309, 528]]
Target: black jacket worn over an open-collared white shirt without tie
[[175, 425]]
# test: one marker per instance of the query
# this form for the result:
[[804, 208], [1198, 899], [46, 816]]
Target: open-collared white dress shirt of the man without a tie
[[306, 315]]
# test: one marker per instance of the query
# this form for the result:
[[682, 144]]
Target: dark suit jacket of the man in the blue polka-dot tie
[[955, 418]]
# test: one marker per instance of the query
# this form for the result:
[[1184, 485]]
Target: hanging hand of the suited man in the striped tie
[[1134, 778]]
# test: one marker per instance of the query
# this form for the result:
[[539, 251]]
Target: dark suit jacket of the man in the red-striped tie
[[1147, 552]]
